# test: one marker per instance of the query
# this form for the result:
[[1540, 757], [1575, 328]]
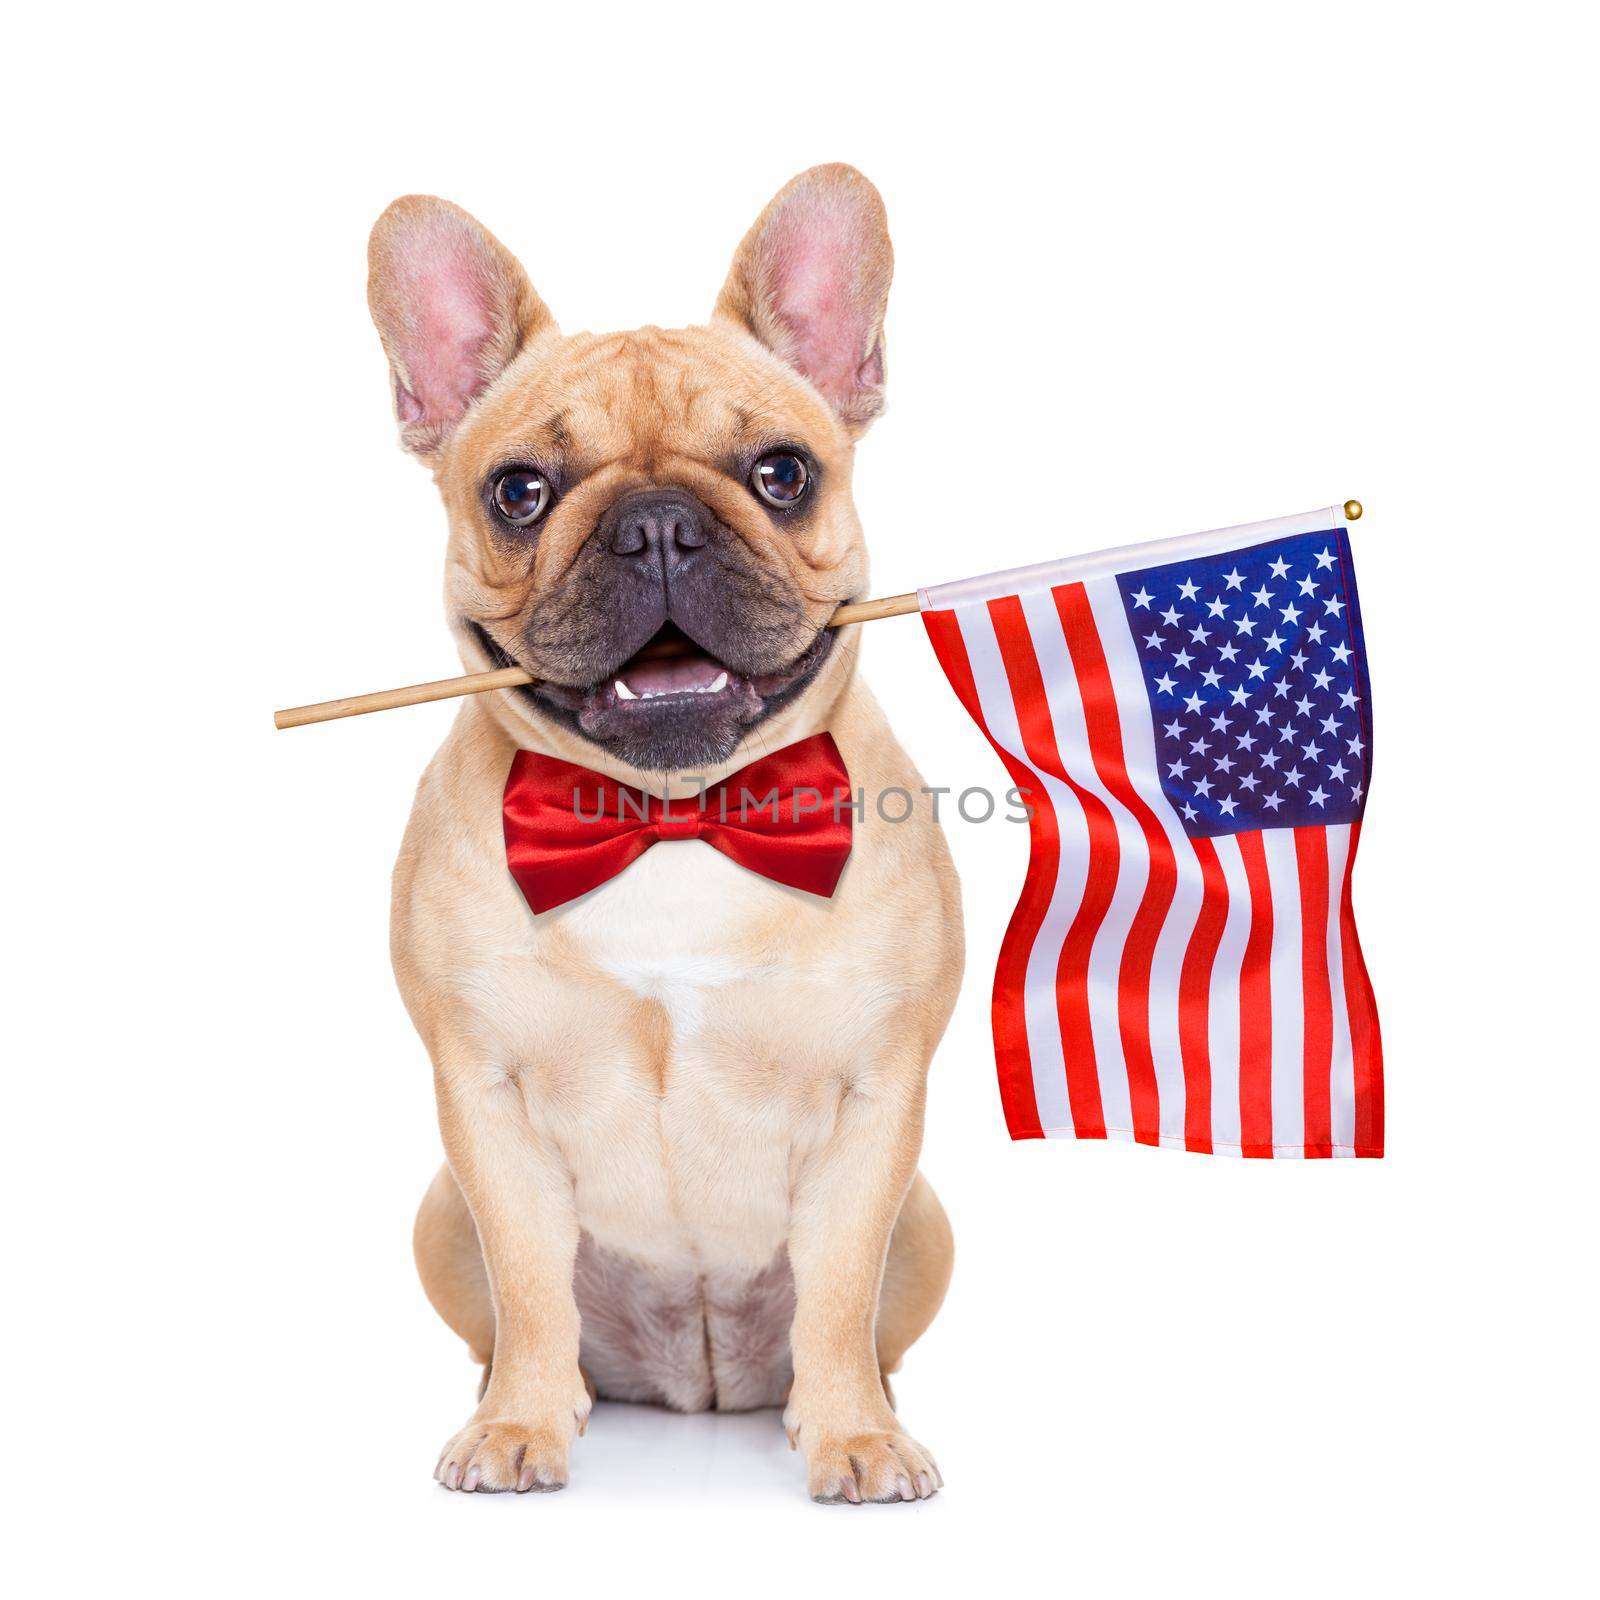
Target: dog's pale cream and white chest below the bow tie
[[698, 1063]]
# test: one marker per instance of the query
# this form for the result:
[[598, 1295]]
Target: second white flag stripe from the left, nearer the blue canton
[[1134, 858]]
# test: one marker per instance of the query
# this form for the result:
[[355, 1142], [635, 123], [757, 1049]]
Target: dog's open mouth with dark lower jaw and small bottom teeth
[[673, 703]]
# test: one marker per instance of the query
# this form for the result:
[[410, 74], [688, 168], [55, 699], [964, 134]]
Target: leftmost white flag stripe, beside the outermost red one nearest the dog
[[1039, 988]]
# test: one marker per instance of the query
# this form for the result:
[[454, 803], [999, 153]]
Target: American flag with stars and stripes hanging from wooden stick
[[1193, 724]]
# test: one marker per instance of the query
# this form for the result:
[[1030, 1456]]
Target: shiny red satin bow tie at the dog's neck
[[786, 817]]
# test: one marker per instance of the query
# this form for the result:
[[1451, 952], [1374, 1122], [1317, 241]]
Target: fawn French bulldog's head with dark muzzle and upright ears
[[655, 524]]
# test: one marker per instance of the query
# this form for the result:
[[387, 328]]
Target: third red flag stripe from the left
[[1138, 953]]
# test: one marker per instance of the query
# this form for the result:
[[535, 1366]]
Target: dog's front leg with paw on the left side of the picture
[[521, 1198]]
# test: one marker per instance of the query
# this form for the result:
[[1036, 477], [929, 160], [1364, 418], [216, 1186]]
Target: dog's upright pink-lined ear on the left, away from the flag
[[454, 310]]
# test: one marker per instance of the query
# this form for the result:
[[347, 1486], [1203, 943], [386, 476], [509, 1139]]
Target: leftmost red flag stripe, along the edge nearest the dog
[[1044, 858]]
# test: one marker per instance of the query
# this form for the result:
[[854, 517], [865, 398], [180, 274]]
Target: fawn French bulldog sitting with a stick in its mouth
[[682, 1113]]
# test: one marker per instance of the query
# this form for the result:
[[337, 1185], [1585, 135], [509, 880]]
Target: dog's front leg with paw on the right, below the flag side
[[846, 1207]]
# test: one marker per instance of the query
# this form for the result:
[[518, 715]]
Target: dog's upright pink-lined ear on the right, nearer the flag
[[812, 281]]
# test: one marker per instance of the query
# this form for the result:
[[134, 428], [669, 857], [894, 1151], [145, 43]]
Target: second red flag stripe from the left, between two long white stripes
[[1073, 970]]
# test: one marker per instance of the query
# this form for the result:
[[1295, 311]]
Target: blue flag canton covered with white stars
[[1257, 673]]
